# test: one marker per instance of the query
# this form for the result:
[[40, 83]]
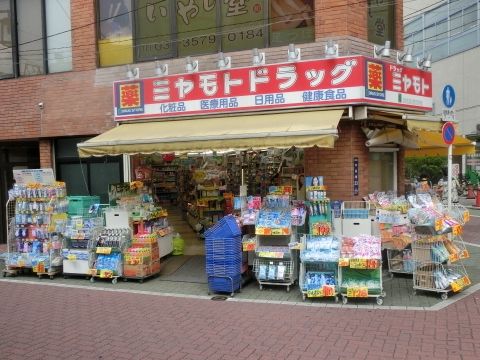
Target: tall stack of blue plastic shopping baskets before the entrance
[[223, 249]]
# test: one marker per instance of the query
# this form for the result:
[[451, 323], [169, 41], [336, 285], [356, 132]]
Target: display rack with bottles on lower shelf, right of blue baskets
[[275, 262]]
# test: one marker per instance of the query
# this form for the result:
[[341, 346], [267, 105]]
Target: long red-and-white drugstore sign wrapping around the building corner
[[314, 83]]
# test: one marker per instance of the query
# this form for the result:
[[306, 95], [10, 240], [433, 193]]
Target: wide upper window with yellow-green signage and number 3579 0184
[[150, 30]]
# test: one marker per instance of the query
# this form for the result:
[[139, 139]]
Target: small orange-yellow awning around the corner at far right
[[432, 144]]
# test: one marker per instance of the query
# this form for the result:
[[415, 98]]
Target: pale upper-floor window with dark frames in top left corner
[[35, 37]]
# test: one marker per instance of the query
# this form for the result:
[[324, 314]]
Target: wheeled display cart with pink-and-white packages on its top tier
[[360, 268]]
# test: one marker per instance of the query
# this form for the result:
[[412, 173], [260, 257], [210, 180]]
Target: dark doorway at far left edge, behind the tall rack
[[14, 156]]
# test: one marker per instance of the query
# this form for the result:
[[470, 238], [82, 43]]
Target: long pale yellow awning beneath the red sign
[[300, 129]]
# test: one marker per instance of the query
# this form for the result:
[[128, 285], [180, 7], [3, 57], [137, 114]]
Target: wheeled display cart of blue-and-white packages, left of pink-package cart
[[318, 276]]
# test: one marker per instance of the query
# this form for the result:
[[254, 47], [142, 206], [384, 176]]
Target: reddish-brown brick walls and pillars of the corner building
[[78, 103]]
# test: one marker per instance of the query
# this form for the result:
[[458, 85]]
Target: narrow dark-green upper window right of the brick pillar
[[381, 21]]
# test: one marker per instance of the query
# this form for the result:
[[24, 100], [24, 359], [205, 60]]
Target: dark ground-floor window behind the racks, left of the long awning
[[90, 176]]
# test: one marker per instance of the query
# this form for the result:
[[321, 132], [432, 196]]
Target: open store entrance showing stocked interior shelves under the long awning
[[198, 189]]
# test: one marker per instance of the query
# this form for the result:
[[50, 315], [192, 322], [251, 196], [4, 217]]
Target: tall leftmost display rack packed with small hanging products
[[36, 218]]
